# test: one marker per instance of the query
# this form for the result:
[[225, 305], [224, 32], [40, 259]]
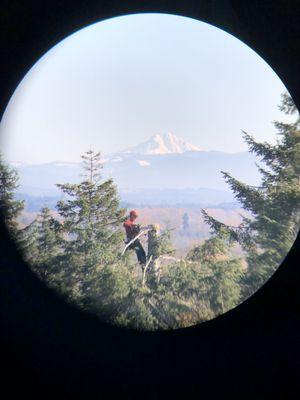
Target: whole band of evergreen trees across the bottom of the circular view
[[80, 253]]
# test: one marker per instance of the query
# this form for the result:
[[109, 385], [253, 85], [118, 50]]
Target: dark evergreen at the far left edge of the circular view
[[10, 208]]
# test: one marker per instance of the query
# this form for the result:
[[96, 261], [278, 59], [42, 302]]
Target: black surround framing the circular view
[[49, 346]]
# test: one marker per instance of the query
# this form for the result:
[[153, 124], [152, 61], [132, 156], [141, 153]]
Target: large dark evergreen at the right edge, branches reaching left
[[275, 205]]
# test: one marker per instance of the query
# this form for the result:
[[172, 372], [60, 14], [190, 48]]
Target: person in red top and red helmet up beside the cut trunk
[[132, 230]]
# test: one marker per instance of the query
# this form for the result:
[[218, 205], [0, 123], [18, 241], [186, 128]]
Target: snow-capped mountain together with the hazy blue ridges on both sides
[[163, 162]]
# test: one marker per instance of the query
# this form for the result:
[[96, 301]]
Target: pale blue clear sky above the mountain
[[118, 82]]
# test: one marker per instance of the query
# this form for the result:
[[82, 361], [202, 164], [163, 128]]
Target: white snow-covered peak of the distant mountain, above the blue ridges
[[167, 143]]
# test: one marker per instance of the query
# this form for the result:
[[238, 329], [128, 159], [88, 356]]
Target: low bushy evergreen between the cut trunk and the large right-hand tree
[[199, 288]]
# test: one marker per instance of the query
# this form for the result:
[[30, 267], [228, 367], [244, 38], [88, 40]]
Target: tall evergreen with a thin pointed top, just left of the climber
[[91, 224]]
